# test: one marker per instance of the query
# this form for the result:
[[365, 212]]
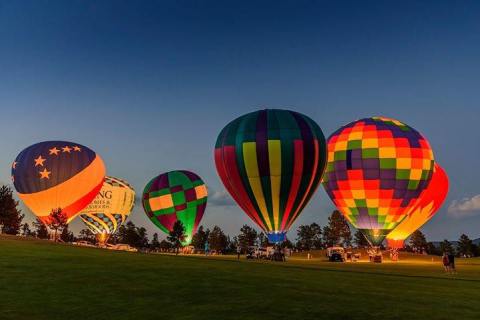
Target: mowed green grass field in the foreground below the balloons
[[43, 280]]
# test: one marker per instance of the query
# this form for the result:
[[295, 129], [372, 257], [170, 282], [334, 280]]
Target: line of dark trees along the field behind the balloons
[[312, 236]]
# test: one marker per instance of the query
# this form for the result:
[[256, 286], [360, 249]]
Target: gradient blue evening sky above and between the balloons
[[149, 85]]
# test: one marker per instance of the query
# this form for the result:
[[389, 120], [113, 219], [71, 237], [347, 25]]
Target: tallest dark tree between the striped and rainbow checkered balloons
[[337, 232]]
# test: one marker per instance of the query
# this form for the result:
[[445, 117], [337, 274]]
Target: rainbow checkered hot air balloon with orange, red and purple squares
[[377, 168]]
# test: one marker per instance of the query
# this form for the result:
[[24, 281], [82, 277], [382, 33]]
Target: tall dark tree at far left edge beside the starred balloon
[[10, 216]]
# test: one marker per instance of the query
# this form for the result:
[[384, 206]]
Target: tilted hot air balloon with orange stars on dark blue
[[57, 174]]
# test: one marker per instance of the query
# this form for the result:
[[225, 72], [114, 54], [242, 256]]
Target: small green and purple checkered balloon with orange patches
[[176, 196]]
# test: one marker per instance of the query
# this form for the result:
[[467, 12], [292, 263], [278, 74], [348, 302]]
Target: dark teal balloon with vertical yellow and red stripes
[[271, 162]]
